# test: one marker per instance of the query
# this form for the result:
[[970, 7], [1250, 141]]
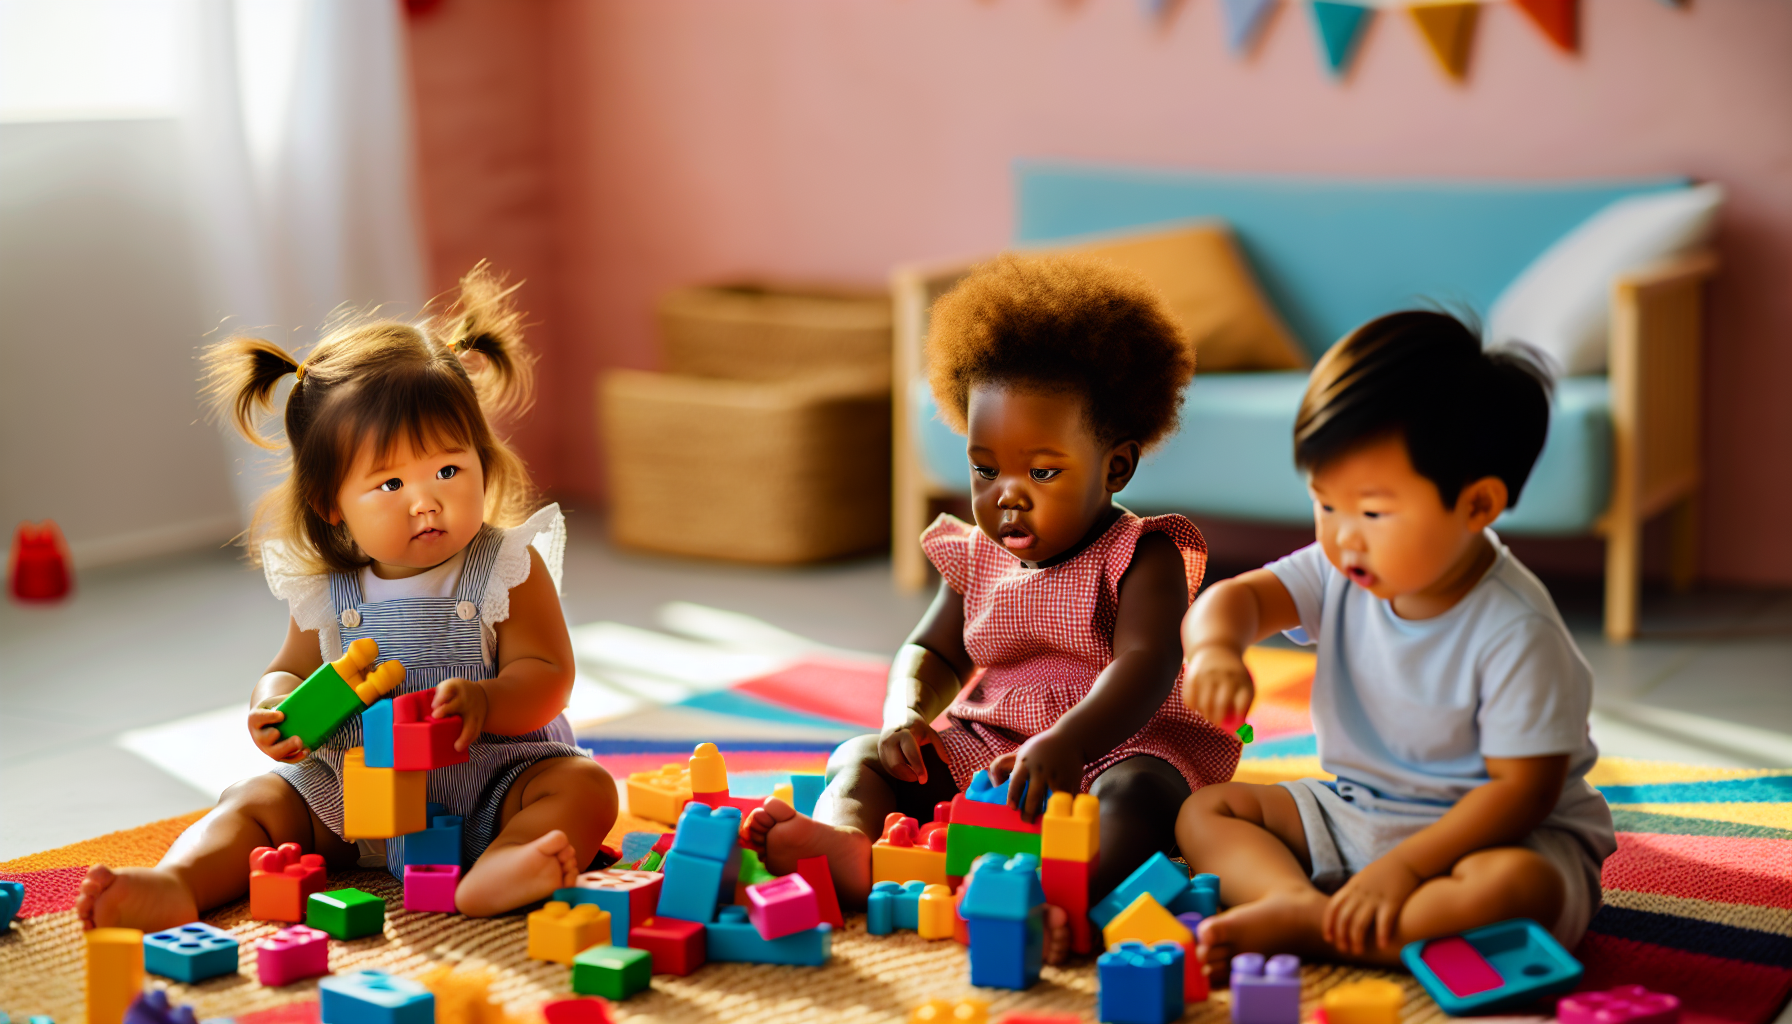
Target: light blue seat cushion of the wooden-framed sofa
[[1234, 456]]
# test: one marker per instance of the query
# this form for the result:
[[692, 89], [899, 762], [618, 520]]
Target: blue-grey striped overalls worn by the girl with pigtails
[[436, 639]]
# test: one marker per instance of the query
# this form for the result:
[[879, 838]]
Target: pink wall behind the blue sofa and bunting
[[694, 139]]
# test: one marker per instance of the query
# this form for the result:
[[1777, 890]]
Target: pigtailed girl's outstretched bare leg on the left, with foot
[[209, 865]]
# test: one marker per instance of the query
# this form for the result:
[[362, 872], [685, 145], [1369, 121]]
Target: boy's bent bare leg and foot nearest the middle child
[[1254, 840]]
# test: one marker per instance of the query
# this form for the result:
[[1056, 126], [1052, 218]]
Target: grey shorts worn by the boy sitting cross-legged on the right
[[1348, 828]]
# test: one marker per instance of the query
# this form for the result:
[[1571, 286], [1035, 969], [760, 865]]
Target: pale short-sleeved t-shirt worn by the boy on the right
[[1413, 707]]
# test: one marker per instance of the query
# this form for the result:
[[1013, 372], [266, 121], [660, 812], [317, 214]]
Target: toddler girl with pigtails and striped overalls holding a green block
[[402, 519]]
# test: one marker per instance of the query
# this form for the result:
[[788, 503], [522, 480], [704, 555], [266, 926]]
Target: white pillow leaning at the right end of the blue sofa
[[1562, 304]]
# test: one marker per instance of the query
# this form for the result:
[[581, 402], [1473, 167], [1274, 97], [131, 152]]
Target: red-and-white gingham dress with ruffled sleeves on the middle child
[[1042, 636]]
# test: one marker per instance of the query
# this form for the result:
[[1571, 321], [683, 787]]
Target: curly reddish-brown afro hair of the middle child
[[1073, 325]]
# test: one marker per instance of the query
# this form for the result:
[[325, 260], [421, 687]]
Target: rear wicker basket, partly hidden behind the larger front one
[[757, 333]]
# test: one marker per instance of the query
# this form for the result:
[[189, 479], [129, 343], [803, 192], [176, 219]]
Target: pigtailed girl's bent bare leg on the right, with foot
[[553, 822]]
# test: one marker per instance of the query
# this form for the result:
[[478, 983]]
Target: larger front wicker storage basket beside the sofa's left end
[[748, 471]]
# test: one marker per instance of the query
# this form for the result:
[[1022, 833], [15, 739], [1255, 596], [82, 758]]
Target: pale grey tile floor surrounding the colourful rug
[[155, 643]]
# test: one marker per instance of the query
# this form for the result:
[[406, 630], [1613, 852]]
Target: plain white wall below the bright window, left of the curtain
[[99, 329]]
